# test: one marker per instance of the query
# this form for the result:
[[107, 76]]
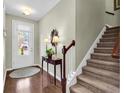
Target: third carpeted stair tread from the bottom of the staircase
[[102, 72]]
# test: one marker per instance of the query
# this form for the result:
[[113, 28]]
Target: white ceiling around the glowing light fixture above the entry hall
[[39, 7]]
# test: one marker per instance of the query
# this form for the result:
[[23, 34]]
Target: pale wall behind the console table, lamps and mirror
[[62, 18]]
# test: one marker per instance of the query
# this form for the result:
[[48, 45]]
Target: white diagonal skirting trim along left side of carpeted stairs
[[87, 56]]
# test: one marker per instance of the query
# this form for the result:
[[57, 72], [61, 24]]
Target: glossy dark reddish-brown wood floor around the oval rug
[[39, 83]]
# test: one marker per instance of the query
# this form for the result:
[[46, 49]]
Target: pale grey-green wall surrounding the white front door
[[8, 42]]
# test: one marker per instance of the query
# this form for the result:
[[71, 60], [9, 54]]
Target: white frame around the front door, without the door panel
[[13, 29]]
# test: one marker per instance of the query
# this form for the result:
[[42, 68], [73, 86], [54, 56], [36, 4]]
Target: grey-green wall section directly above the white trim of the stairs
[[89, 22]]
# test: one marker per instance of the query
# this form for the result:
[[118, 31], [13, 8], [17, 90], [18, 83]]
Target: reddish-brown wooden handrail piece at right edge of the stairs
[[116, 48]]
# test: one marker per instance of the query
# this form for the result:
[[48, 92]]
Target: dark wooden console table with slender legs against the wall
[[54, 61]]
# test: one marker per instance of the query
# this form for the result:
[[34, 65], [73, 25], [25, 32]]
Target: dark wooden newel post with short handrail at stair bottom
[[64, 51]]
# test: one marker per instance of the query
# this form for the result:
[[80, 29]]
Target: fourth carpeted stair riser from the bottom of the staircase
[[105, 67]]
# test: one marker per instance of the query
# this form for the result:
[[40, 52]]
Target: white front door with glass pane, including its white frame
[[22, 44]]
